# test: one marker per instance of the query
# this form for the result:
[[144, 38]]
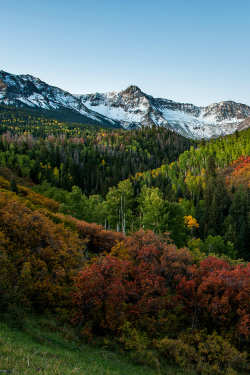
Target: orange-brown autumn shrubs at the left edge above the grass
[[38, 258]]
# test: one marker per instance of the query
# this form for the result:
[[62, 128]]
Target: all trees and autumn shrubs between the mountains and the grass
[[139, 239]]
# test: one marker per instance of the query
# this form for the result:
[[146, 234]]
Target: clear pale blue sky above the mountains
[[192, 51]]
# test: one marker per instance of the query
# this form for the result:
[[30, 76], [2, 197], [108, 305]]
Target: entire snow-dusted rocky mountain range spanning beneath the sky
[[130, 108]]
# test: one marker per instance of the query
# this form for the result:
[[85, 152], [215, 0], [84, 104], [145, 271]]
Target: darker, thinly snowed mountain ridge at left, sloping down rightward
[[28, 91]]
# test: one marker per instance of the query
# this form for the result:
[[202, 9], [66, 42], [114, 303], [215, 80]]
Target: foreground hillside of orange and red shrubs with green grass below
[[134, 296]]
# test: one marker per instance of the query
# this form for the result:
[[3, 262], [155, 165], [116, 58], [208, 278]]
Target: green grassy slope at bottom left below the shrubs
[[44, 347]]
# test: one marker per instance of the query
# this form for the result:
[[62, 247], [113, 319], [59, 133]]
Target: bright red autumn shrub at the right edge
[[216, 296]]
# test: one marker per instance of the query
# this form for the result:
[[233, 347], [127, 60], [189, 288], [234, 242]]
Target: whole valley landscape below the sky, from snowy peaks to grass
[[124, 233]]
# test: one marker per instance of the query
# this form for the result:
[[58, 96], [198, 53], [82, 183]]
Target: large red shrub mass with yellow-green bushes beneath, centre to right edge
[[162, 308]]
